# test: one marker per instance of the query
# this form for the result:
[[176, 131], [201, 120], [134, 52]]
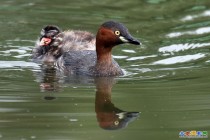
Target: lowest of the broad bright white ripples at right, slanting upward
[[180, 59]]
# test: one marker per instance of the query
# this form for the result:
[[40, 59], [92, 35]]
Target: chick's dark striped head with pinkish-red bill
[[48, 34]]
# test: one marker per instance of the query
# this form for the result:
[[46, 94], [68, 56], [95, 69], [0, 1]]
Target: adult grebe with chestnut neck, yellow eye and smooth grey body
[[99, 62]]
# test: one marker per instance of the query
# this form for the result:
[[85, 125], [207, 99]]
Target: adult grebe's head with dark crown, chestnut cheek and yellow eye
[[112, 33]]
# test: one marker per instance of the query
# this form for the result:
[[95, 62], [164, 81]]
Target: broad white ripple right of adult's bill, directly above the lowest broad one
[[181, 47]]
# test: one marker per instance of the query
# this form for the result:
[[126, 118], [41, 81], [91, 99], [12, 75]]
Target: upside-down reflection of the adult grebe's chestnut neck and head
[[110, 117]]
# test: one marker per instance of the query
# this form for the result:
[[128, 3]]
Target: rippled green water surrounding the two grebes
[[167, 78]]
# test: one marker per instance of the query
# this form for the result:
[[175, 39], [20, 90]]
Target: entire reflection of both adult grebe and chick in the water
[[108, 115]]
